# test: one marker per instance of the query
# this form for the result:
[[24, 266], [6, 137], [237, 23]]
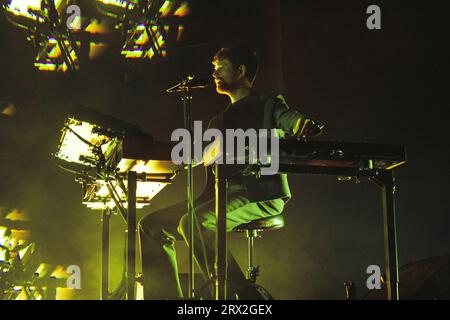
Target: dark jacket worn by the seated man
[[257, 111]]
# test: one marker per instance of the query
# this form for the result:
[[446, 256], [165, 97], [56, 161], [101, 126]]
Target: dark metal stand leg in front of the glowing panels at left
[[131, 235]]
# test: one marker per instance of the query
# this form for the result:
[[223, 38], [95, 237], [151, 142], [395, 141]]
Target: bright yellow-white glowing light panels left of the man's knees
[[95, 153]]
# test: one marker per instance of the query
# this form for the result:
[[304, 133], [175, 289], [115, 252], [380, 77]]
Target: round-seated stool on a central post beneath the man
[[251, 230]]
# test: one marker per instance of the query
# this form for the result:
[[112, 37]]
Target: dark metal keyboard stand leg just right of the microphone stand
[[221, 234]]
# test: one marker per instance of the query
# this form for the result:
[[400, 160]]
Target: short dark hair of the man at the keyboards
[[239, 55]]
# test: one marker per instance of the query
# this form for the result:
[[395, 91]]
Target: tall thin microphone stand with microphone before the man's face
[[185, 89]]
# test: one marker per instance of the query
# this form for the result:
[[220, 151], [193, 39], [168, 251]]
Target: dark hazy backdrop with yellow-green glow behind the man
[[387, 86]]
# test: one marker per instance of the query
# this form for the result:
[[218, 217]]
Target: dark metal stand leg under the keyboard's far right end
[[385, 180]]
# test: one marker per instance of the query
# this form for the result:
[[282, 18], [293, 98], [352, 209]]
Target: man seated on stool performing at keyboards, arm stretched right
[[248, 197]]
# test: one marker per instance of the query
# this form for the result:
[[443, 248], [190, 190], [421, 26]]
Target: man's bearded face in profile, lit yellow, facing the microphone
[[225, 76]]
